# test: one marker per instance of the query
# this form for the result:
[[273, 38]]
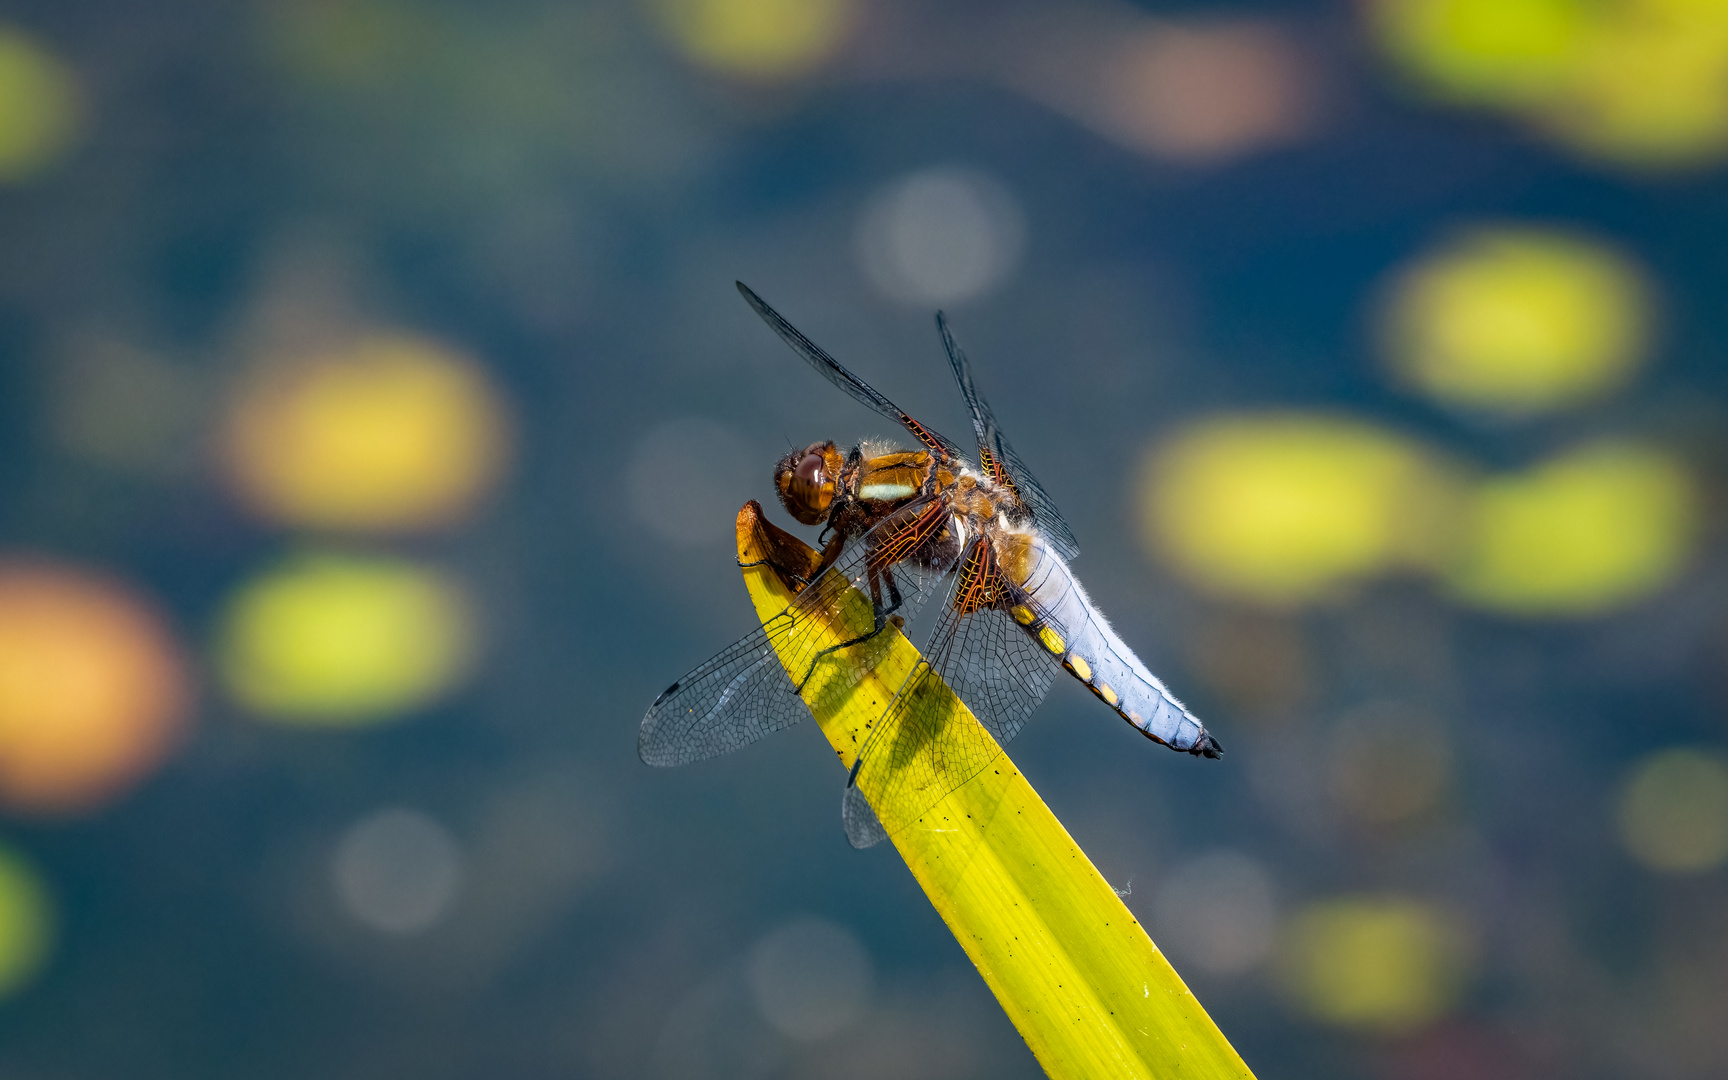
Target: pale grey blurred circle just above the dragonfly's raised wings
[[941, 236]]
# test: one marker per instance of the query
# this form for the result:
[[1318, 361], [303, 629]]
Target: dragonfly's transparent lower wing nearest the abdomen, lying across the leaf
[[925, 749]]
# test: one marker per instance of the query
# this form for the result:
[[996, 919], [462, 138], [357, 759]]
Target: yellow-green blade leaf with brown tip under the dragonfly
[[1088, 989]]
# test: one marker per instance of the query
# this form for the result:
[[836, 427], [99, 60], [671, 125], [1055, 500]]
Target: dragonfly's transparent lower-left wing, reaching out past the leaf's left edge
[[746, 692]]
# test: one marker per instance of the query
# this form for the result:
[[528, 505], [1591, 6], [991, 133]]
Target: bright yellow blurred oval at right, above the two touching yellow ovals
[[1518, 321]]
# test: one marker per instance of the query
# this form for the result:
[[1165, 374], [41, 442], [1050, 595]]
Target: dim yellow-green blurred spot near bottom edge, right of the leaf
[[1375, 963]]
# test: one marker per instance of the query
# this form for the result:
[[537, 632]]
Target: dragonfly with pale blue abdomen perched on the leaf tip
[[903, 526]]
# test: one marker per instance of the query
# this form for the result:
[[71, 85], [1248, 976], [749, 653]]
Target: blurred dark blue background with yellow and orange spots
[[376, 405]]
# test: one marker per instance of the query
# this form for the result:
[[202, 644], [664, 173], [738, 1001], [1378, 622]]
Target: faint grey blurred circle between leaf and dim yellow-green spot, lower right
[[1217, 913]]
